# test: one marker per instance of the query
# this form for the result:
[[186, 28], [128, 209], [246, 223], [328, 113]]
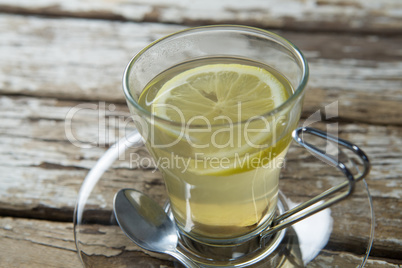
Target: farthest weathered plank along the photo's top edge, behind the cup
[[333, 15]]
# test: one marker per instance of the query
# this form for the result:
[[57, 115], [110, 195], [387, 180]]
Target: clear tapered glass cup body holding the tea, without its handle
[[221, 176]]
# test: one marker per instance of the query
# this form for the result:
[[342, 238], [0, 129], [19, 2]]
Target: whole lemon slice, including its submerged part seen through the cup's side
[[215, 97]]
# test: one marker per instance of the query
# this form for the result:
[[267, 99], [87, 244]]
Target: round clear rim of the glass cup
[[299, 90]]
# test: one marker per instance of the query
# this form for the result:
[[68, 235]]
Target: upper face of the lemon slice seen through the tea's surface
[[218, 94]]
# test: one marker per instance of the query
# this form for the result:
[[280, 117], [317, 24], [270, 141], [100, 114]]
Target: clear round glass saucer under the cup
[[340, 236]]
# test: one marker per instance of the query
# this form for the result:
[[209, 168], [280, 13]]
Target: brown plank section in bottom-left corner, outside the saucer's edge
[[34, 243]]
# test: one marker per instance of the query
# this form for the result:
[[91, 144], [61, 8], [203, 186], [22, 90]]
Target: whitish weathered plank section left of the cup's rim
[[61, 58]]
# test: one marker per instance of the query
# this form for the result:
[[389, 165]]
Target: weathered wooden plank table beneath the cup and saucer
[[57, 55]]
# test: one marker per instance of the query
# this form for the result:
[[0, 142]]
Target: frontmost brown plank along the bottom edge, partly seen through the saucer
[[51, 244]]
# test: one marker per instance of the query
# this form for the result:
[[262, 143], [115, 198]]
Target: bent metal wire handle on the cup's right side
[[303, 210]]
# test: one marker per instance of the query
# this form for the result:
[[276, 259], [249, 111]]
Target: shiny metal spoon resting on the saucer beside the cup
[[147, 224]]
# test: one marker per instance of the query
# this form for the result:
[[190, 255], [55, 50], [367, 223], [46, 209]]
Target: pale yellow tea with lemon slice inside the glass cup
[[220, 150]]
